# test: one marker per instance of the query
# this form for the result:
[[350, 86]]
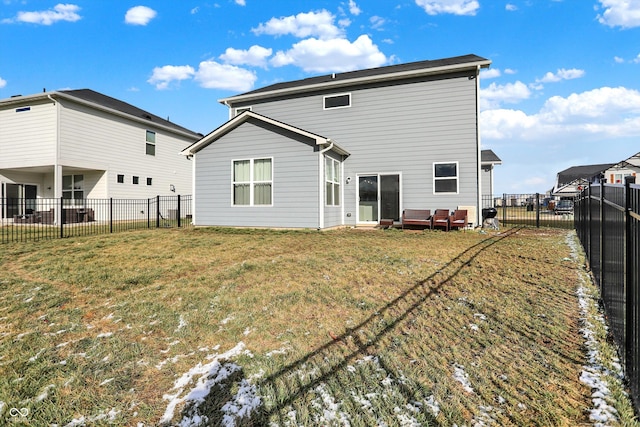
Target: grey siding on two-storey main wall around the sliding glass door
[[398, 128]]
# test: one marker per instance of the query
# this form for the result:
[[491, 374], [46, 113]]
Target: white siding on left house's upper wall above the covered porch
[[28, 138]]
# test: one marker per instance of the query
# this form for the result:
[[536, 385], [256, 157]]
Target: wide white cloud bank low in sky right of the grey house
[[605, 113]]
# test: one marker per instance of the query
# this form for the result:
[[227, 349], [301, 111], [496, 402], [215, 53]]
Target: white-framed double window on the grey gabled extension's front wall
[[252, 182]]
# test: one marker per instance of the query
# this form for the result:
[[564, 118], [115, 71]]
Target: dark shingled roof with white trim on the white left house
[[106, 103]]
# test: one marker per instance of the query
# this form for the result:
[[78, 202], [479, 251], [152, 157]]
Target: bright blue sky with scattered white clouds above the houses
[[563, 89]]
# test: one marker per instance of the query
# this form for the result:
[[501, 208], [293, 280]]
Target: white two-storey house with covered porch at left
[[80, 144]]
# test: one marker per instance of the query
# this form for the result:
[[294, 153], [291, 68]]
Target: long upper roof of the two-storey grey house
[[370, 75]]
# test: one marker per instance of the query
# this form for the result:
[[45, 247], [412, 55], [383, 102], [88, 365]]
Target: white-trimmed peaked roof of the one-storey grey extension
[[245, 116]]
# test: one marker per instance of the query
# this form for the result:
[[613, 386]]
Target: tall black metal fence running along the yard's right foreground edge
[[608, 225]]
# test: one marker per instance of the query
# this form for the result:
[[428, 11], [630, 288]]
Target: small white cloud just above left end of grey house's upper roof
[[212, 75]]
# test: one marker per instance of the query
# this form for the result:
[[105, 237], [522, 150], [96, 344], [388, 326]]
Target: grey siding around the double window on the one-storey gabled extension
[[295, 179]]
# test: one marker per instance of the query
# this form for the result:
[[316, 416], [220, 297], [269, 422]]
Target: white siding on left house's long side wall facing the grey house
[[113, 145]]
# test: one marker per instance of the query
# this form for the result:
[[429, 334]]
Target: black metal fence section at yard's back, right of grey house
[[534, 210]]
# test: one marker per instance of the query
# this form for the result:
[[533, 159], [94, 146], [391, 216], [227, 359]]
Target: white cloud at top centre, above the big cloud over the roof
[[319, 24]]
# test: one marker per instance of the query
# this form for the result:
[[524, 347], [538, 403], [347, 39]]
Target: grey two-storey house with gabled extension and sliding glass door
[[345, 149]]
